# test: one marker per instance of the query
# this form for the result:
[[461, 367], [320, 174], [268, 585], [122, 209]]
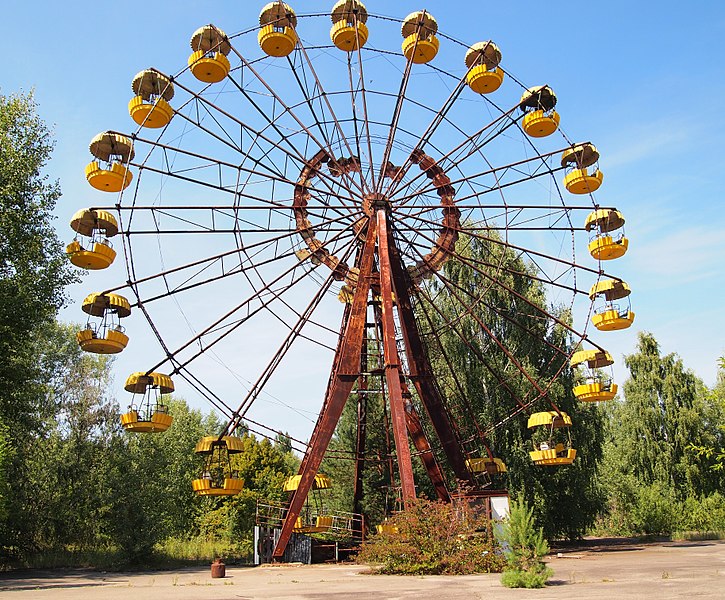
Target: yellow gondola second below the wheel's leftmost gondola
[[148, 414]]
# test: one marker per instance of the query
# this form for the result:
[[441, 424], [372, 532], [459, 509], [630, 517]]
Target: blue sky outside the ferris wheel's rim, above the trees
[[643, 81]]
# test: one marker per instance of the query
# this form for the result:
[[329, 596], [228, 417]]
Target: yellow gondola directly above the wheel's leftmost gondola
[[110, 174]]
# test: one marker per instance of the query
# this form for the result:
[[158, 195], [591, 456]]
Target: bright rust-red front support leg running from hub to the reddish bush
[[393, 371]]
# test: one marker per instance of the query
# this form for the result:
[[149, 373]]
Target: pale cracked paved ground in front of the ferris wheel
[[620, 571]]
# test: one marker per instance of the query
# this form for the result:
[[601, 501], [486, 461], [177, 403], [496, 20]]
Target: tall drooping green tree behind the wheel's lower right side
[[565, 500]]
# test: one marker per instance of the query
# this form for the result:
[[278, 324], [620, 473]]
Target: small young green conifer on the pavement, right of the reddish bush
[[524, 548]]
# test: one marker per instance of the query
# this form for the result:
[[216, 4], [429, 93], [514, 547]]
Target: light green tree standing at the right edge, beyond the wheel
[[650, 466]]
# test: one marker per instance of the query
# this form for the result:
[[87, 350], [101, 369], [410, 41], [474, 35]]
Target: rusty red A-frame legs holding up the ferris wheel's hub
[[346, 371]]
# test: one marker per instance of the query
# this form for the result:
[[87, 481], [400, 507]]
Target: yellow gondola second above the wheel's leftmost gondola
[[150, 105]]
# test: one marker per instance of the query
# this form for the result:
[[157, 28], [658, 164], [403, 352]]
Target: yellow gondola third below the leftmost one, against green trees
[[218, 477]]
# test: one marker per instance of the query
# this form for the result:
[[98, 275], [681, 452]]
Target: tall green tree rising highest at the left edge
[[33, 275]]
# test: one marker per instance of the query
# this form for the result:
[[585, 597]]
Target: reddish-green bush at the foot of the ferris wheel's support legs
[[434, 538]]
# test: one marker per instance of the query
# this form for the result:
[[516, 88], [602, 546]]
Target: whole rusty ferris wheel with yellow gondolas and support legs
[[288, 195]]
